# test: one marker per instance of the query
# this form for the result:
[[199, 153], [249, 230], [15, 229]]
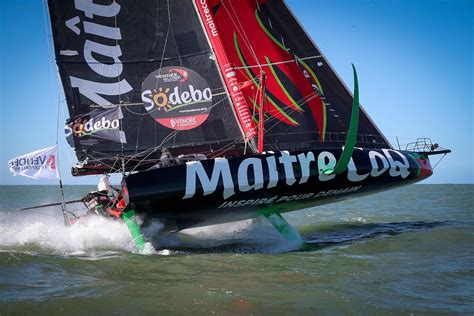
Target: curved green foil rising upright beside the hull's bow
[[353, 128]]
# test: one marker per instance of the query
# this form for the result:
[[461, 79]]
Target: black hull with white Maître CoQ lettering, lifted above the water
[[225, 190]]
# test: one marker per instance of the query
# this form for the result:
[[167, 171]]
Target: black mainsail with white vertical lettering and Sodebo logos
[[139, 76]]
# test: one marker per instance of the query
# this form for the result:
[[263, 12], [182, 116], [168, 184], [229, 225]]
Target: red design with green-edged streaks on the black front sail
[[290, 95]]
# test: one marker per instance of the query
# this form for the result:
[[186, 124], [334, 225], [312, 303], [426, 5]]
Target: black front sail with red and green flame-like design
[[306, 105]]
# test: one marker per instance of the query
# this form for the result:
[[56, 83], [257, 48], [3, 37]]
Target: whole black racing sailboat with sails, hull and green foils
[[216, 111]]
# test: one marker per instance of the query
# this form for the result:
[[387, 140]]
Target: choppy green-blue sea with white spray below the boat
[[405, 251]]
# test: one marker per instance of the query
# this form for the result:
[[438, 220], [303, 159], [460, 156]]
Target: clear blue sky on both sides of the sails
[[414, 60]]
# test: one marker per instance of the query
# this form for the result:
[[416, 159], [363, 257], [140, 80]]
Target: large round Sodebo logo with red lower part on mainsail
[[177, 97]]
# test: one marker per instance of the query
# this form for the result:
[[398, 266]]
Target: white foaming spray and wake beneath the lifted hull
[[42, 231]]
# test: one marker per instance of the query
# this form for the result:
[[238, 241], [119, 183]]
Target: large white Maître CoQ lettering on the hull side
[[250, 172]]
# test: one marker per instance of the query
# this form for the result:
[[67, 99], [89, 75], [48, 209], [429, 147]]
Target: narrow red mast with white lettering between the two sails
[[240, 105]]
